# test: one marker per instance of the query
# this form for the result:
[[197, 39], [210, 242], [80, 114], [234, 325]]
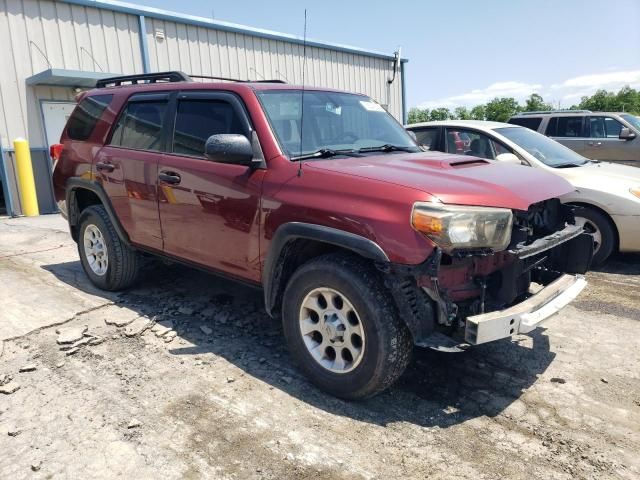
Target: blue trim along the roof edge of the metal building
[[161, 14]]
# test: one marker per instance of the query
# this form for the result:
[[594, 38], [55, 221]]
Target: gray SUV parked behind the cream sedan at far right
[[614, 137]]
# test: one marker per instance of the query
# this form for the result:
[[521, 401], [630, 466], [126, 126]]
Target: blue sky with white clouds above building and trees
[[466, 52]]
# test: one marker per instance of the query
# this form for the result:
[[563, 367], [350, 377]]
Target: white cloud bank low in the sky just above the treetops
[[566, 93]]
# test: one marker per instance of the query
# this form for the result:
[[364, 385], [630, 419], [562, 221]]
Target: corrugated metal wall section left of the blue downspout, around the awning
[[39, 34]]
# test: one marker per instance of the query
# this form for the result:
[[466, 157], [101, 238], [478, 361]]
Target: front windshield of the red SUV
[[334, 123]]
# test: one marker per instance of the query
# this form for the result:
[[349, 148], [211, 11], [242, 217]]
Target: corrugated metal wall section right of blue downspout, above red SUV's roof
[[205, 51]]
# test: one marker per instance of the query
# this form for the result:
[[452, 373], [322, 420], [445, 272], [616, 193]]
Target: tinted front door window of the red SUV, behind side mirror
[[197, 120]]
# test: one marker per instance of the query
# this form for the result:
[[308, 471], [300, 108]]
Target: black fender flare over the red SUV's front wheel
[[288, 232]]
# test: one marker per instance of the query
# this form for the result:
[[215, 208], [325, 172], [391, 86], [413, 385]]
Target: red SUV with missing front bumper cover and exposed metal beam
[[363, 244]]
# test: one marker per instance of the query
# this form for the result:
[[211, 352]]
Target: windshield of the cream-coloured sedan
[[543, 148]]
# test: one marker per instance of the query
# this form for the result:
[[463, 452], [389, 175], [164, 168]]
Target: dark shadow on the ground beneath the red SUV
[[438, 389]]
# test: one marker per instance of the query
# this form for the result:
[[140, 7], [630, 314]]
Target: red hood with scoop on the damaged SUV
[[455, 179]]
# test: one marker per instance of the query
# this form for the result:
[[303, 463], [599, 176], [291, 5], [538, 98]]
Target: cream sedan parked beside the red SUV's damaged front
[[608, 194]]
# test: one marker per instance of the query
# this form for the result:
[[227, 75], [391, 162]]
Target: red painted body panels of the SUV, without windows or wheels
[[224, 216]]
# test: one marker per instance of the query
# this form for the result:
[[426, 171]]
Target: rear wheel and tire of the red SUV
[[107, 261]]
